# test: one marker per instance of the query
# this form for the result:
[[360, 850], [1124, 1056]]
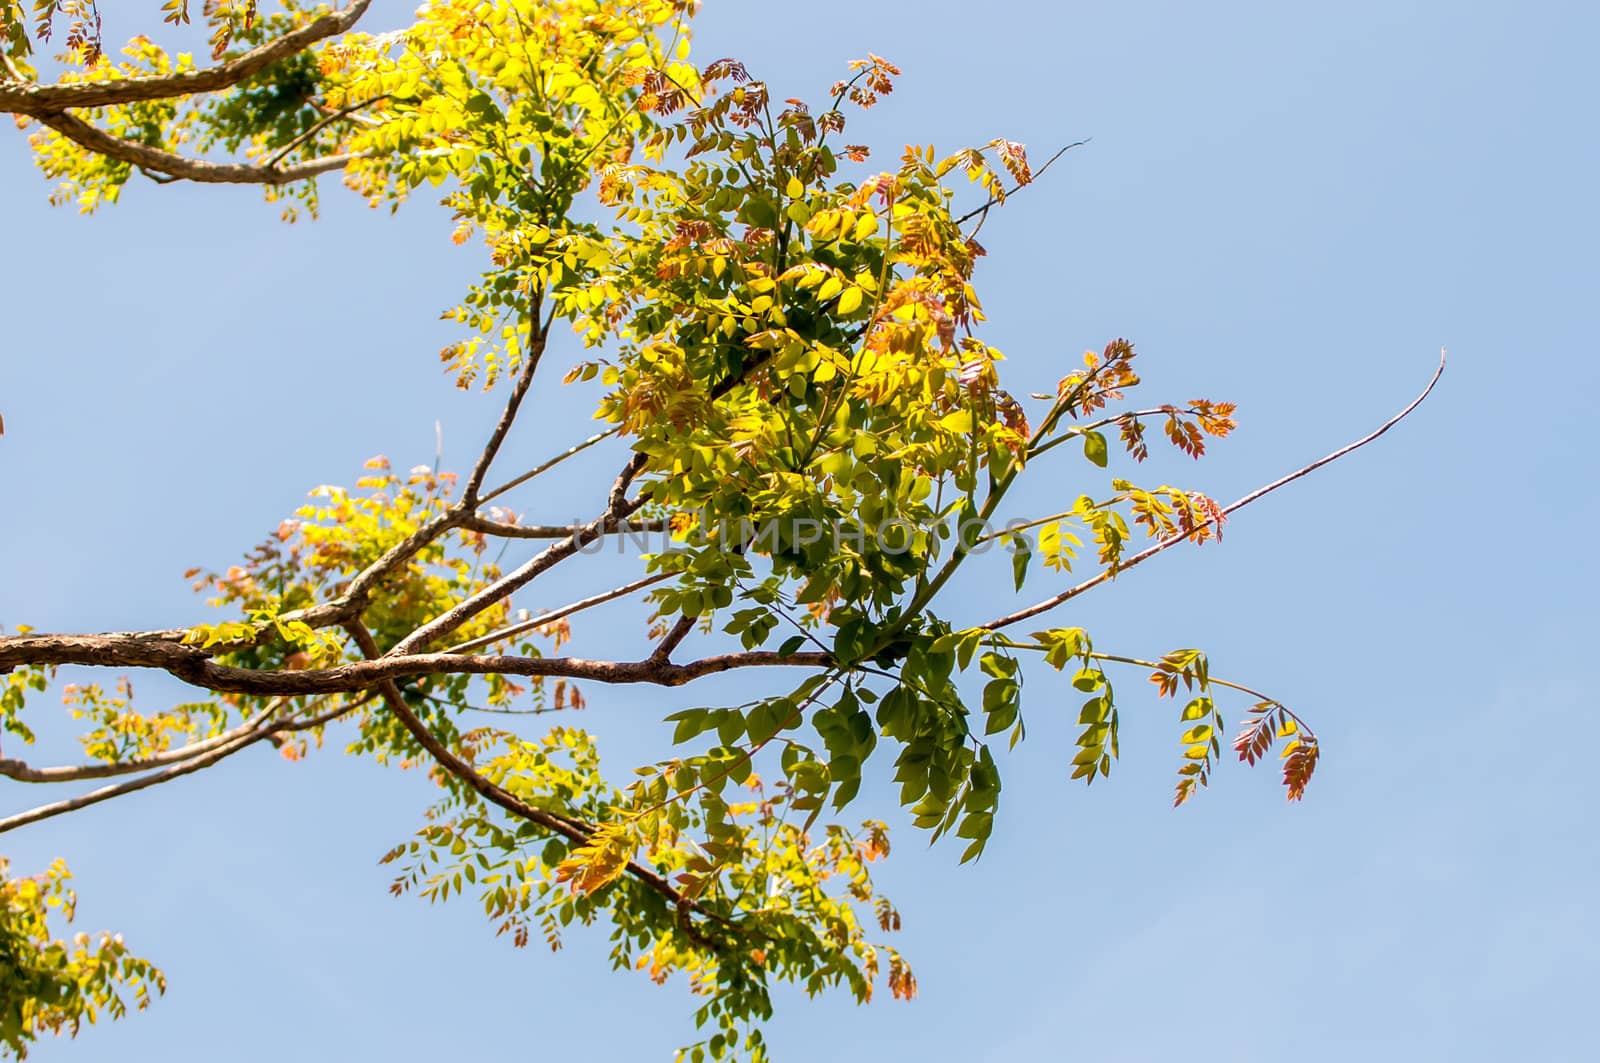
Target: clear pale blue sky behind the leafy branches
[[1290, 206]]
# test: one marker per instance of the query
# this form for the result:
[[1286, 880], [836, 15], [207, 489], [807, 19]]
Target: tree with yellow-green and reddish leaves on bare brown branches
[[799, 406]]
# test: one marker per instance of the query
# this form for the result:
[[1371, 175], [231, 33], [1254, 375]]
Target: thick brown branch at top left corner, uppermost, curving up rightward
[[44, 100]]
